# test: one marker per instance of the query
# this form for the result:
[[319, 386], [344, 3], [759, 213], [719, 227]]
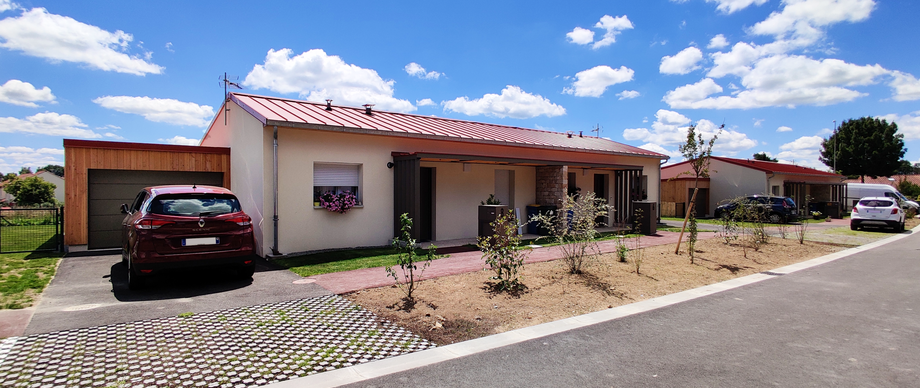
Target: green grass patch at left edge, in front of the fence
[[23, 276]]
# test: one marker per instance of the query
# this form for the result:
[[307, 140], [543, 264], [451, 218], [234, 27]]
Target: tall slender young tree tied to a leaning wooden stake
[[697, 151]]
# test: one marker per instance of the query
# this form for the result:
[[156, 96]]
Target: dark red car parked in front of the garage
[[177, 227]]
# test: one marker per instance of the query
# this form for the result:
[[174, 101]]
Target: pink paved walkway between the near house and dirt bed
[[465, 262]]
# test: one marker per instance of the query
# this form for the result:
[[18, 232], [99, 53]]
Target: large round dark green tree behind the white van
[[865, 146]]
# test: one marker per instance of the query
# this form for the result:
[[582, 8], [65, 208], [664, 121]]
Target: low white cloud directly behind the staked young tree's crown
[[670, 130]]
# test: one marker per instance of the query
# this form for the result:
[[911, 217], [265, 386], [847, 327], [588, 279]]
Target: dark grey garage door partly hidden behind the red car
[[108, 189]]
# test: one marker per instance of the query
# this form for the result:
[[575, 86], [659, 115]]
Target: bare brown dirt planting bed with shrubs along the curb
[[462, 307]]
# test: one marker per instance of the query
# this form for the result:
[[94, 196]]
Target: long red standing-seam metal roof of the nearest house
[[287, 112]]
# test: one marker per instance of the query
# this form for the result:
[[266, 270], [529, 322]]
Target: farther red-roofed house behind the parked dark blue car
[[731, 178]]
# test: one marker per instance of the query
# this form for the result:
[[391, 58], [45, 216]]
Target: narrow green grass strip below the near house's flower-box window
[[342, 260]]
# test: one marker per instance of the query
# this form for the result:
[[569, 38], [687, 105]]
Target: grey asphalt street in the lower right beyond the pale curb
[[853, 322]]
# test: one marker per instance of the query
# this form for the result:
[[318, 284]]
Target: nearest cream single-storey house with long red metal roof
[[286, 152]]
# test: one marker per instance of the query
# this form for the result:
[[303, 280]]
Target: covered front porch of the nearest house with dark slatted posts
[[443, 191]]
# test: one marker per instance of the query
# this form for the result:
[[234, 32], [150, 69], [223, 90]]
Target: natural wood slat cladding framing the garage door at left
[[80, 158]]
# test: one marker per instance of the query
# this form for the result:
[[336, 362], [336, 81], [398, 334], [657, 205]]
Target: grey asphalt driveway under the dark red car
[[93, 291]]
